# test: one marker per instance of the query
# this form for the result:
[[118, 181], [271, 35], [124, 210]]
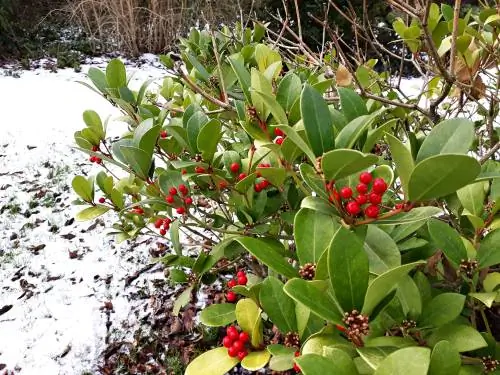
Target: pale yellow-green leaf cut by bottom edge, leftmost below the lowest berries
[[213, 362]]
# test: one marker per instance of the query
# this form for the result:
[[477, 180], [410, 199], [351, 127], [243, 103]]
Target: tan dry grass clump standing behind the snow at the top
[[137, 26]]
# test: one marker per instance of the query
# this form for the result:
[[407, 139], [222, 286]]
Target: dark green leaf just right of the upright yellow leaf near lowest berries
[[278, 305]]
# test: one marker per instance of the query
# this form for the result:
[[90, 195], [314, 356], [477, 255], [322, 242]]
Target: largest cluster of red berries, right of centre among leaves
[[368, 196]]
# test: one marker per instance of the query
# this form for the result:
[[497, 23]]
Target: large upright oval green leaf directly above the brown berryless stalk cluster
[[348, 269]]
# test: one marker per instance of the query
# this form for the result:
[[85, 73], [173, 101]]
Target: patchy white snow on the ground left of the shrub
[[56, 275]]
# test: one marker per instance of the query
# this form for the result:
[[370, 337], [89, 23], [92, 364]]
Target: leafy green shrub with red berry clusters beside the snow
[[360, 232]]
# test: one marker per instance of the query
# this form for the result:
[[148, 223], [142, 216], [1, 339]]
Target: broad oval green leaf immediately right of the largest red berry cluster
[[440, 175]]
